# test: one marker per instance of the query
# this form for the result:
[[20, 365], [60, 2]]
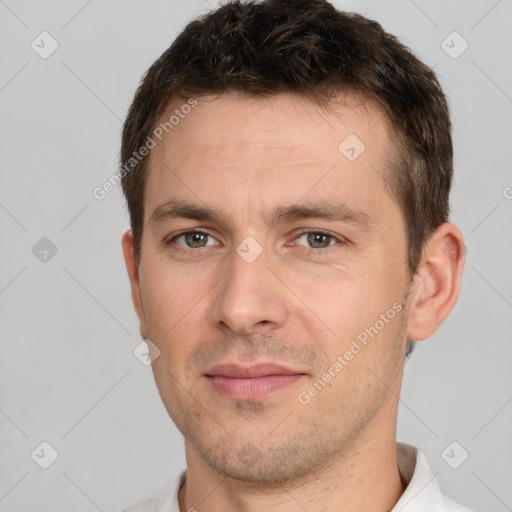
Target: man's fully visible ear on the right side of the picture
[[435, 287]]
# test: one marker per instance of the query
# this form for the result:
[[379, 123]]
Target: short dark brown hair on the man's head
[[309, 48]]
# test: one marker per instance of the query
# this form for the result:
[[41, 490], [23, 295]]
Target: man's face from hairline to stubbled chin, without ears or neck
[[273, 280]]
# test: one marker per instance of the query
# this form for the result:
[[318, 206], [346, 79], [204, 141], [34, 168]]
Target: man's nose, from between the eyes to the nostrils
[[250, 298]]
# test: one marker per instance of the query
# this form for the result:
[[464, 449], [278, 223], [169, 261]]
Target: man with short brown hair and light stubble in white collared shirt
[[287, 169]]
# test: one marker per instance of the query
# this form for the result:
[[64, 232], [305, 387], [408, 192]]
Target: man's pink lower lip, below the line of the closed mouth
[[252, 388]]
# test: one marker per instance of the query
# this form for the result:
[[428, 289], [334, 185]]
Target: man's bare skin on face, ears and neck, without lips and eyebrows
[[203, 304]]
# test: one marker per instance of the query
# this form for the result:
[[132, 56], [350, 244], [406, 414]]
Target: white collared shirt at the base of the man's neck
[[422, 493]]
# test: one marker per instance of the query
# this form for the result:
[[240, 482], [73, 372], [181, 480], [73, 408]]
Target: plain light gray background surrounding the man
[[68, 329]]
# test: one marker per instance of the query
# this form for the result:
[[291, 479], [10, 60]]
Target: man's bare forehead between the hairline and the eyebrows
[[282, 147]]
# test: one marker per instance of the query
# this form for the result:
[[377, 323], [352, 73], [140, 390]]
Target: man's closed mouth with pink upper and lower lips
[[251, 382]]
